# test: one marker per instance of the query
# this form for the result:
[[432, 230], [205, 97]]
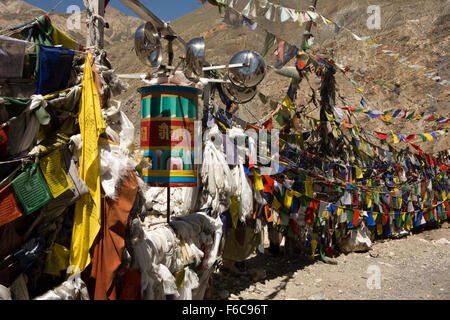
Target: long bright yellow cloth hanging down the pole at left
[[87, 215]]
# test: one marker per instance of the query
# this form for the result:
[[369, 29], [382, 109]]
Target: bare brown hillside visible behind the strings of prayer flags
[[415, 29]]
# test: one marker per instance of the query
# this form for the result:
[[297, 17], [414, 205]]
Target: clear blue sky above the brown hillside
[[167, 10]]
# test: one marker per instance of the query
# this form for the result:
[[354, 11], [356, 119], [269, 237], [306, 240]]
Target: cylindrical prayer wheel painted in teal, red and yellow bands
[[168, 115]]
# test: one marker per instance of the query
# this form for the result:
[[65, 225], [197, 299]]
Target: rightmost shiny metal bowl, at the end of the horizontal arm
[[253, 71]]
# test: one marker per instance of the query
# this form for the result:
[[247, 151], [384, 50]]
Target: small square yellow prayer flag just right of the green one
[[57, 180]]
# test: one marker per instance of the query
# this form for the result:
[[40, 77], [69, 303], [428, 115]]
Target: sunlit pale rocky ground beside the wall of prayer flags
[[415, 267]]
